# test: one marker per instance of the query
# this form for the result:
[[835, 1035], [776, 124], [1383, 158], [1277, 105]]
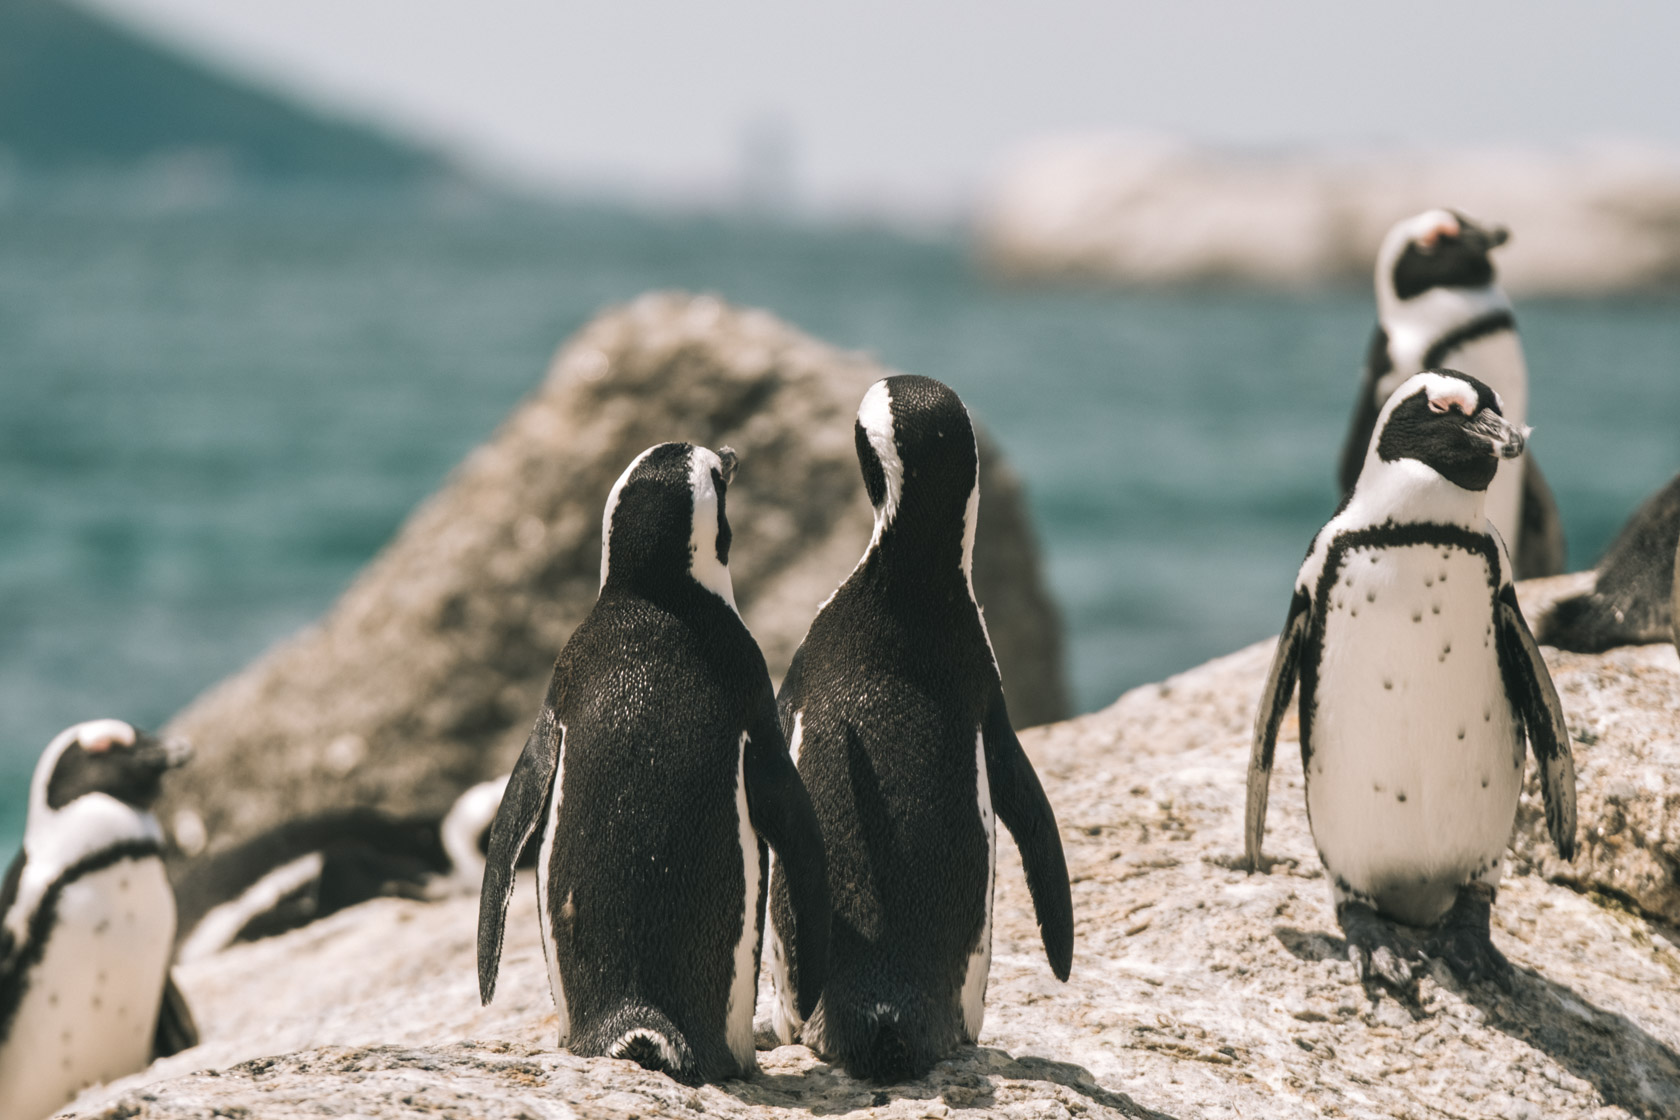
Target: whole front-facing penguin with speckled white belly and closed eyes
[[1419, 686]]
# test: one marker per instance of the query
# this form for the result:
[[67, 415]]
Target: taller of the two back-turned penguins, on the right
[[895, 711]]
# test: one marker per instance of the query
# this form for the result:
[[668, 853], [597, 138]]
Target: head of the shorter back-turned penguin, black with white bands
[[666, 523]]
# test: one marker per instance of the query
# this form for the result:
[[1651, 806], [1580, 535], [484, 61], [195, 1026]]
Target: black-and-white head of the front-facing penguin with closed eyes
[[1452, 424]]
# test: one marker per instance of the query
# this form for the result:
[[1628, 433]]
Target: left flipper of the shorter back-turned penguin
[[520, 815]]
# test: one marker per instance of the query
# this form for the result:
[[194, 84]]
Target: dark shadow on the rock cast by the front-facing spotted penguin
[[1629, 1069]]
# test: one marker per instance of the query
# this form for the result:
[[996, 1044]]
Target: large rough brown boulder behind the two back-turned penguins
[[426, 676]]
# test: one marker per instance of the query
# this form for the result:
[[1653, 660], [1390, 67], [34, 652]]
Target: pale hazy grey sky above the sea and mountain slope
[[910, 103]]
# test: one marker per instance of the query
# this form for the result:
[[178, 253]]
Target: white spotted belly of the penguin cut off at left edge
[[92, 1008]]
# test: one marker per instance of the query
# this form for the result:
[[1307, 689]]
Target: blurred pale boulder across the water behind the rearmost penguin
[[1143, 211]]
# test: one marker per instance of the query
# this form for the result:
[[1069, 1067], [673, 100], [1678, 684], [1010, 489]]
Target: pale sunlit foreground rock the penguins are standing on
[[1197, 990]]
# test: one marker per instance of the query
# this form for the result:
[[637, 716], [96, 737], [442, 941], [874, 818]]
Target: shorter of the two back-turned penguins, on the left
[[656, 775]]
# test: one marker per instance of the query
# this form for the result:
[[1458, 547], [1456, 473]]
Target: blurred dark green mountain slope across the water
[[83, 93]]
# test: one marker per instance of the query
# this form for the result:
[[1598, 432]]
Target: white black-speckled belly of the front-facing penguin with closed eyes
[[1417, 756]]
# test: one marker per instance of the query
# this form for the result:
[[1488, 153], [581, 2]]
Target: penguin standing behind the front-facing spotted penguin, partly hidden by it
[[1441, 305]]
